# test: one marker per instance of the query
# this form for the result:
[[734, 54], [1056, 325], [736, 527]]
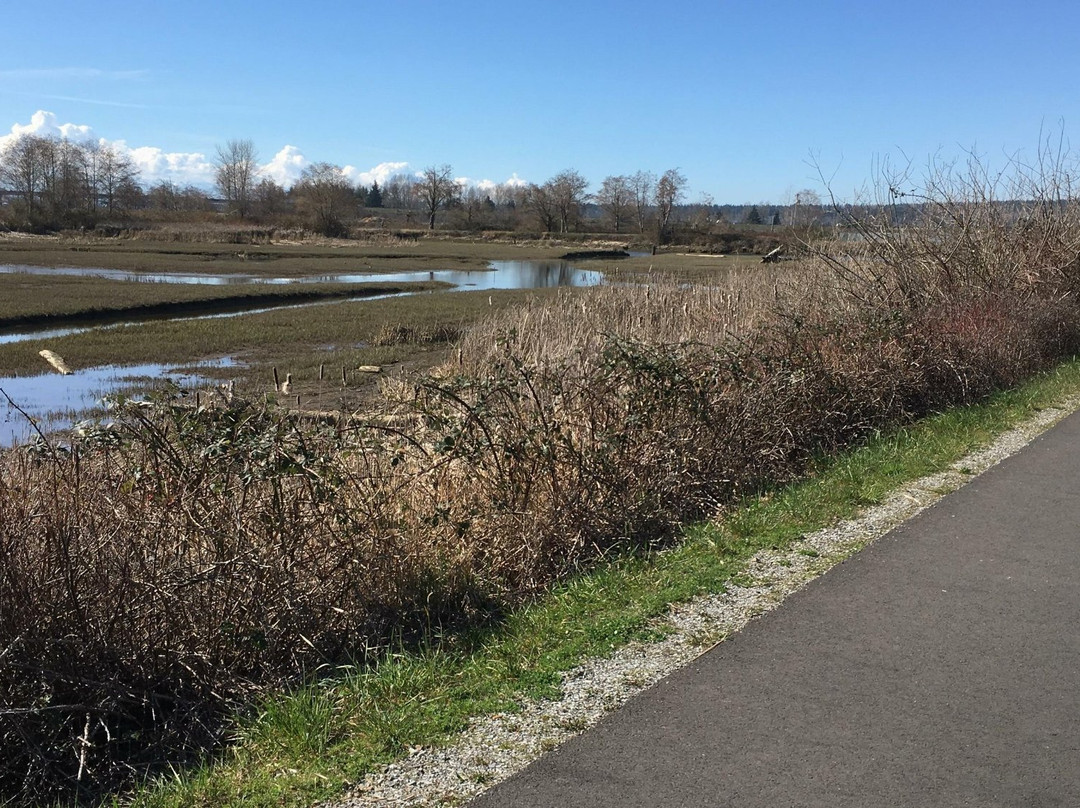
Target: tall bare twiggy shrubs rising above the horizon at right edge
[[963, 231]]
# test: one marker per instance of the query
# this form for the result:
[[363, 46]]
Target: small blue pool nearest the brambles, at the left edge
[[58, 402]]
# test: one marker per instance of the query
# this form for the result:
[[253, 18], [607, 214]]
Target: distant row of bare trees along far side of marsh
[[49, 183]]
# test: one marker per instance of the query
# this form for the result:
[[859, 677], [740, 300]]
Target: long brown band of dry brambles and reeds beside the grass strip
[[174, 567]]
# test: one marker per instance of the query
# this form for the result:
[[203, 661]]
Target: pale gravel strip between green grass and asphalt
[[496, 747]]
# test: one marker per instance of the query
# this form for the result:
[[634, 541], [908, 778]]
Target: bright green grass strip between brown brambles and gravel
[[312, 745]]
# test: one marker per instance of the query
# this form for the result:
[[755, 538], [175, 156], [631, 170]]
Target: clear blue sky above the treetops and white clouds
[[738, 96]]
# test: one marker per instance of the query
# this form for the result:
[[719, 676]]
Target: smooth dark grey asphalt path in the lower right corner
[[939, 667]]
